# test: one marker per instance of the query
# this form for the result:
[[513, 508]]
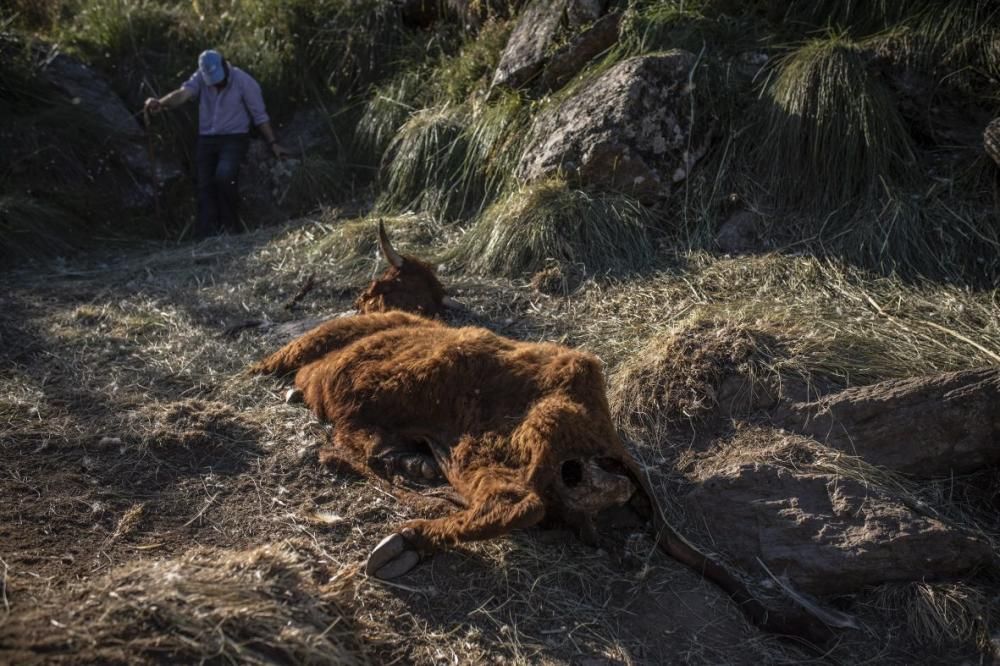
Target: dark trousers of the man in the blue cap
[[219, 158]]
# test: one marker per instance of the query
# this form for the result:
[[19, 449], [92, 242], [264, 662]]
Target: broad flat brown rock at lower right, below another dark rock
[[828, 533]]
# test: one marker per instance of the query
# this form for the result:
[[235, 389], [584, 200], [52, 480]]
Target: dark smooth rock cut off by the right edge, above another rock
[[925, 426]]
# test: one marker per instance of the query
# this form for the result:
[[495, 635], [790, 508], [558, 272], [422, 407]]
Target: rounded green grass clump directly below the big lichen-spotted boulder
[[518, 234]]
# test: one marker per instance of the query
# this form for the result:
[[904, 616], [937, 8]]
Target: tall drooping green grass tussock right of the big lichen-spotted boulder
[[834, 137]]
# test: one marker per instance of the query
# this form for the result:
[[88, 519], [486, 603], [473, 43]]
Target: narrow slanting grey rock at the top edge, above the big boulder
[[529, 43]]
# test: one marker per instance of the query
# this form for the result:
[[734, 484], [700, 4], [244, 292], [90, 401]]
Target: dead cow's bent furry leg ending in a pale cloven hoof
[[496, 510]]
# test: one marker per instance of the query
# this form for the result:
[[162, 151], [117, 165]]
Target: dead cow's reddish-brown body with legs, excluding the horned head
[[521, 431]]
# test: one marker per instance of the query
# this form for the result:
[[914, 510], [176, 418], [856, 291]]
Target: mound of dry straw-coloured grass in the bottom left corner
[[254, 607]]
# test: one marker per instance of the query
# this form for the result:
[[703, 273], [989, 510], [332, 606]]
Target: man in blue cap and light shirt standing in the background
[[229, 101]]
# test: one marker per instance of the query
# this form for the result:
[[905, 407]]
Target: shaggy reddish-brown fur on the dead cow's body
[[499, 416]]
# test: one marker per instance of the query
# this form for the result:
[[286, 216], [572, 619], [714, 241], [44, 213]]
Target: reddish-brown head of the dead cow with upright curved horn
[[408, 284]]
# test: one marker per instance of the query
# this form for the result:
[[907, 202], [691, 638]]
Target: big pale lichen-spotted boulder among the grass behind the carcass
[[628, 130]]
